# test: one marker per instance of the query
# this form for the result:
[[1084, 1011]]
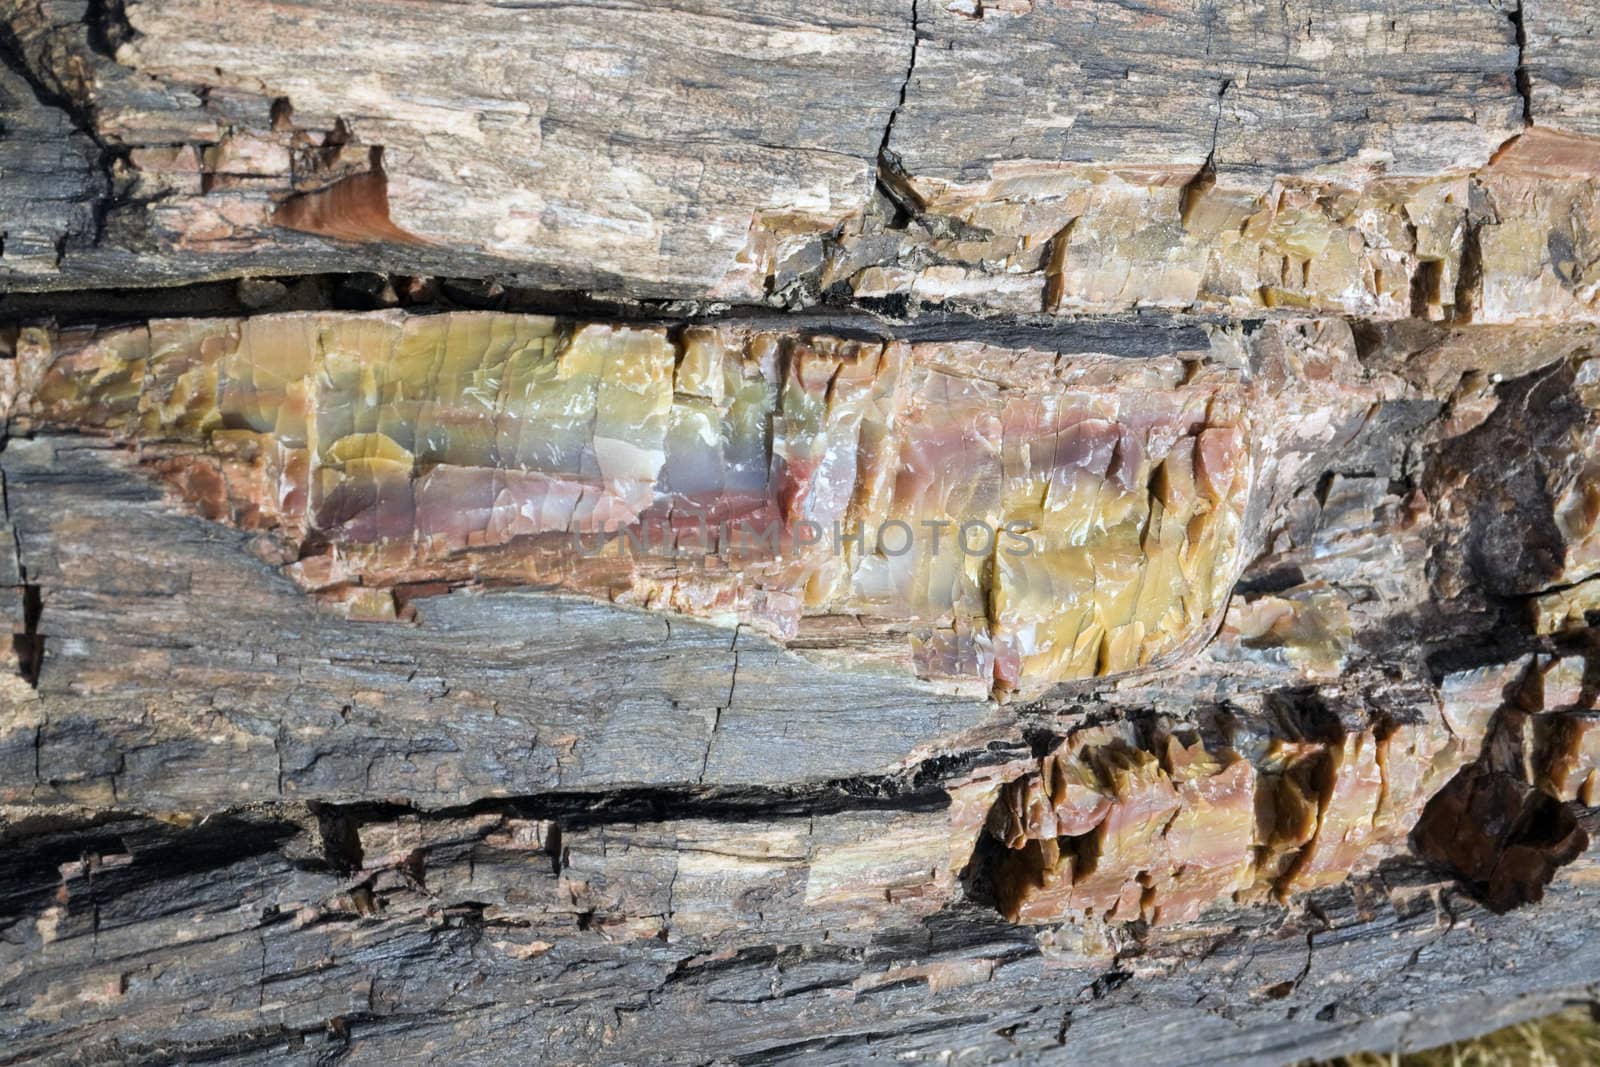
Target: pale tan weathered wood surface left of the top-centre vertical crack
[[588, 146]]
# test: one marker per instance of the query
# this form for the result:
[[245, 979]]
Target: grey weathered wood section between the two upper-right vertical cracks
[[1260, 90]]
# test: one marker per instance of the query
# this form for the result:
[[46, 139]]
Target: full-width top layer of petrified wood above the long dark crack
[[1340, 158]]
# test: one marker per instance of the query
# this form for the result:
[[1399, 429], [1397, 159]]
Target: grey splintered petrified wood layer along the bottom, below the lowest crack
[[663, 940]]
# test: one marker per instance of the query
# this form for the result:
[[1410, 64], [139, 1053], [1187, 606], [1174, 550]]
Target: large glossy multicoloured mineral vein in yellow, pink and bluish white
[[1020, 518]]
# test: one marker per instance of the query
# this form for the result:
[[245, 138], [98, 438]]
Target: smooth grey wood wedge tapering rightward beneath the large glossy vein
[[185, 674]]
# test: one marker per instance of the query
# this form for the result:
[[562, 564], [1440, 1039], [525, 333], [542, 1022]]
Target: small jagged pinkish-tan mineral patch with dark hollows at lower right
[[1110, 831]]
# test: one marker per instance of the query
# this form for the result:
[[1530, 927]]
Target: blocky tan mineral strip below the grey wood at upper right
[[1502, 238]]
